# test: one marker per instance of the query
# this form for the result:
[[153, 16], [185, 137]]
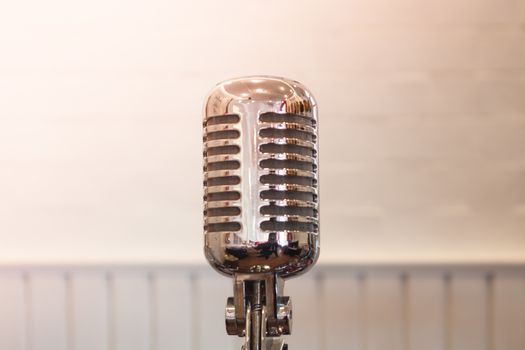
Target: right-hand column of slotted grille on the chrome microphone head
[[288, 159]]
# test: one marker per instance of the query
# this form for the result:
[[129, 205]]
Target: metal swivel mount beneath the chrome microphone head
[[258, 311]]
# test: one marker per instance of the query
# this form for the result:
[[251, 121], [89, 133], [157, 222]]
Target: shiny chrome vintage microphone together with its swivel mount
[[261, 205]]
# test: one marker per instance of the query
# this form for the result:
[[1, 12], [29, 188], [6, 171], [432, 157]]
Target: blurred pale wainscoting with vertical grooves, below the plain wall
[[372, 307]]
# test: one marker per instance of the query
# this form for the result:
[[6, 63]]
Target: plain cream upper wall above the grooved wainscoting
[[422, 109]]
